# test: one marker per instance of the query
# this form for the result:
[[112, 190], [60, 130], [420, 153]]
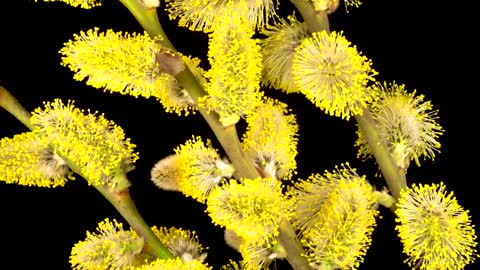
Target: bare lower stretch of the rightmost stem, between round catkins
[[396, 180]]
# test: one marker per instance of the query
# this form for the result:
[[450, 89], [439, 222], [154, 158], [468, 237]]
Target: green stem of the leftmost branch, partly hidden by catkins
[[119, 197]]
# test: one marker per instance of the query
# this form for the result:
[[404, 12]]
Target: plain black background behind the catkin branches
[[428, 46]]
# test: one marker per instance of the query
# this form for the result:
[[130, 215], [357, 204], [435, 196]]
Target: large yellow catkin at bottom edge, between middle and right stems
[[336, 214]]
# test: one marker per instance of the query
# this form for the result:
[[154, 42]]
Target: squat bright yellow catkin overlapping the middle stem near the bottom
[[252, 209]]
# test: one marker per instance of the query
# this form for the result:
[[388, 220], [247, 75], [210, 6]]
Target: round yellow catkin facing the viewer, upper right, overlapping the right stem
[[333, 75]]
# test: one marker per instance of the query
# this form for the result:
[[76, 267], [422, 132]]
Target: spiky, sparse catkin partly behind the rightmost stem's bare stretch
[[406, 123]]
